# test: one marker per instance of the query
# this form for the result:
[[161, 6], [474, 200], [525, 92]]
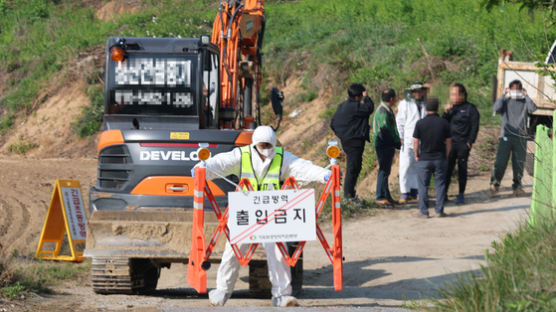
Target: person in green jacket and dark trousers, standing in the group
[[387, 140]]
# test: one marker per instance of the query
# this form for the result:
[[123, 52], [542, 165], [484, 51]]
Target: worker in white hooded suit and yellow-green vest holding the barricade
[[262, 153]]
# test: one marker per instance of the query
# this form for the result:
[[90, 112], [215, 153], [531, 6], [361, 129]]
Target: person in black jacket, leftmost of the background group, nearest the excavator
[[350, 123]]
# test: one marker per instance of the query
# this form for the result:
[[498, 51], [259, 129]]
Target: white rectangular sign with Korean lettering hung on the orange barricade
[[272, 216]]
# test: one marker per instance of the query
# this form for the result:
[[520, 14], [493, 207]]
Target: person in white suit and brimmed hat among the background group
[[410, 110]]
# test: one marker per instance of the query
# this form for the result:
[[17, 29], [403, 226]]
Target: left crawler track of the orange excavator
[[123, 275]]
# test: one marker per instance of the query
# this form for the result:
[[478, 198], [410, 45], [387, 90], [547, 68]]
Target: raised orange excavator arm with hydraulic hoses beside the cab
[[238, 31]]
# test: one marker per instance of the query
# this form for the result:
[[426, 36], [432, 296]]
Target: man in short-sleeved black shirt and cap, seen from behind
[[432, 142]]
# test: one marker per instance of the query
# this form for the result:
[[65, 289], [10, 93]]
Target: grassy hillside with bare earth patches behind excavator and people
[[52, 59]]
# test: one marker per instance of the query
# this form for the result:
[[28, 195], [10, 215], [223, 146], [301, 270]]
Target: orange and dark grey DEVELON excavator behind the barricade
[[163, 98]]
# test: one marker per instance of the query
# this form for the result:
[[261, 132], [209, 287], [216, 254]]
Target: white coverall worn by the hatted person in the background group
[[406, 119]]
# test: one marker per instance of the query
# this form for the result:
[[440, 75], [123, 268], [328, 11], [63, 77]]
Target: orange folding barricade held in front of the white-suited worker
[[199, 255]]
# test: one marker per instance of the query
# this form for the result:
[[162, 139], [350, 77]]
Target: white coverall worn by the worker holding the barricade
[[230, 163]]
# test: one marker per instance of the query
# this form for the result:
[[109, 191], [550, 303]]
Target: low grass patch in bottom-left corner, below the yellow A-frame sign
[[22, 275]]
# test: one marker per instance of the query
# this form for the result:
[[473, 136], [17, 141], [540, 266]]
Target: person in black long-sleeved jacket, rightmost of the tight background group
[[464, 125]]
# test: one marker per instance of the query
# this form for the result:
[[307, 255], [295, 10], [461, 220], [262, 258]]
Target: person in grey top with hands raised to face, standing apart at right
[[514, 106]]
